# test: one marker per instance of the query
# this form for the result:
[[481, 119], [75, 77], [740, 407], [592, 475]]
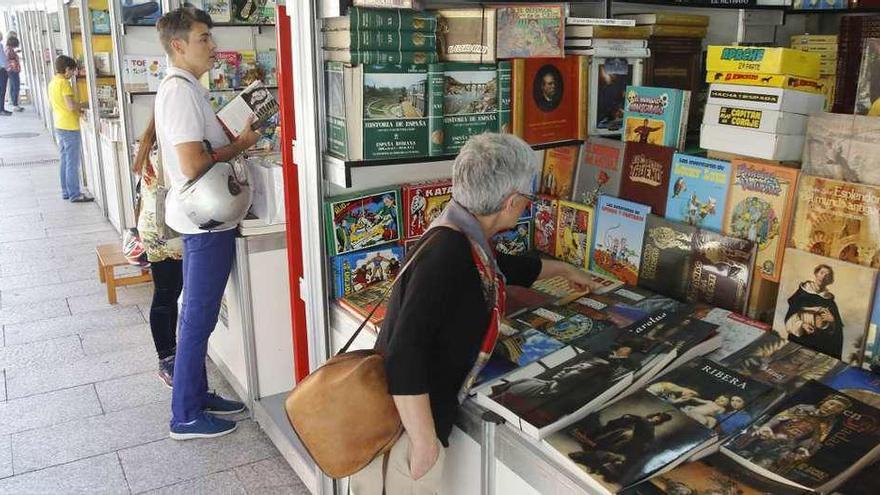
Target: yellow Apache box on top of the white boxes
[[763, 60]]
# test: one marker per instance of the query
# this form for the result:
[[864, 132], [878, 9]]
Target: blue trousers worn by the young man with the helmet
[[207, 261]]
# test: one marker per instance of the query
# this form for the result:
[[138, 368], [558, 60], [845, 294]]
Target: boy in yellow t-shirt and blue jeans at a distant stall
[[65, 113]]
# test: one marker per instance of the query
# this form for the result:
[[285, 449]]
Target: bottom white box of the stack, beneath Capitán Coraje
[[747, 142]]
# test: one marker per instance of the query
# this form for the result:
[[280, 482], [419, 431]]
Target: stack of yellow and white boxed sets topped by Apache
[[759, 101]]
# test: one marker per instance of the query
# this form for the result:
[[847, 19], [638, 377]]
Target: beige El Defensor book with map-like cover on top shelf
[[530, 31]]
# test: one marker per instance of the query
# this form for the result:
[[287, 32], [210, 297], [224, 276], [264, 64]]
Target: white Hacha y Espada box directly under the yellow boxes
[[761, 98]]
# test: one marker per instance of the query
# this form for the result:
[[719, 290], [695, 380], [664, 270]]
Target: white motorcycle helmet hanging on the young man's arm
[[219, 198]]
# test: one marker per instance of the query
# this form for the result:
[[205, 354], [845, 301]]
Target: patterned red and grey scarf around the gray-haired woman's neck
[[492, 282]]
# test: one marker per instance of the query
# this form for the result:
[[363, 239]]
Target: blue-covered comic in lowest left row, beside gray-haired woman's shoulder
[[353, 272]]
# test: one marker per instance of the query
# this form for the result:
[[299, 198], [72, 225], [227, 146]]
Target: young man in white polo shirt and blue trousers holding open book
[[185, 122]]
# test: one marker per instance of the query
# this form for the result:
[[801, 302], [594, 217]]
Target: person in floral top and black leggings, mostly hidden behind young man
[[165, 256]]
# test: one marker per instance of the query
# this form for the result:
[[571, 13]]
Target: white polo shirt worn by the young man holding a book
[[183, 115]]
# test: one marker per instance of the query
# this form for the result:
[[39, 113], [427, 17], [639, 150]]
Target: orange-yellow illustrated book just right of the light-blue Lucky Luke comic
[[759, 208]]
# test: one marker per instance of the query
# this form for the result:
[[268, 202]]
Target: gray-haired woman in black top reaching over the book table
[[441, 321]]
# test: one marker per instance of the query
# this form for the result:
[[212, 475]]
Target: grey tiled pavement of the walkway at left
[[81, 409]]
